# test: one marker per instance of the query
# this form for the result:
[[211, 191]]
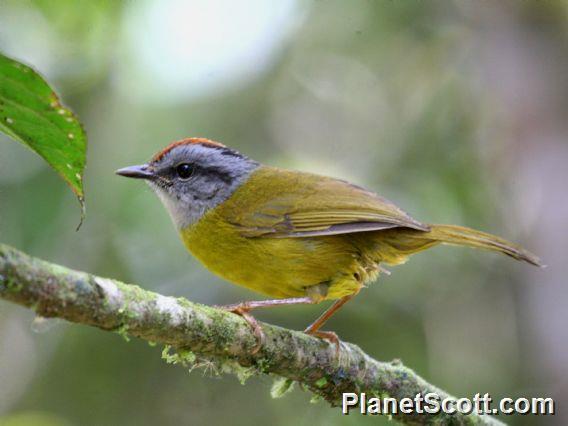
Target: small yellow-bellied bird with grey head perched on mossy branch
[[297, 237]]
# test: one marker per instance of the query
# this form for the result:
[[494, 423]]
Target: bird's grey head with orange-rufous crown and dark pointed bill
[[192, 176]]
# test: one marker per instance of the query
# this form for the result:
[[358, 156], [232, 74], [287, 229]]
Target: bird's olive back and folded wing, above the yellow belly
[[294, 204]]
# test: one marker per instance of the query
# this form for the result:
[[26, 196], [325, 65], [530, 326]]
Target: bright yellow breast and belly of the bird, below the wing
[[278, 267]]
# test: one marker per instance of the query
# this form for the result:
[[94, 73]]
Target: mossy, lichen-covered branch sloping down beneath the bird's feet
[[202, 332]]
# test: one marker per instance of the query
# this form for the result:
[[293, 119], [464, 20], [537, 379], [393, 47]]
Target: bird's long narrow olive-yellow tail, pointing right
[[460, 235]]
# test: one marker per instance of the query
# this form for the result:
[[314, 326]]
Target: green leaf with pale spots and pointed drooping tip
[[31, 113]]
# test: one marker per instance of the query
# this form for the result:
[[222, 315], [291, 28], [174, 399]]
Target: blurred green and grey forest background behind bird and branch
[[455, 110]]
